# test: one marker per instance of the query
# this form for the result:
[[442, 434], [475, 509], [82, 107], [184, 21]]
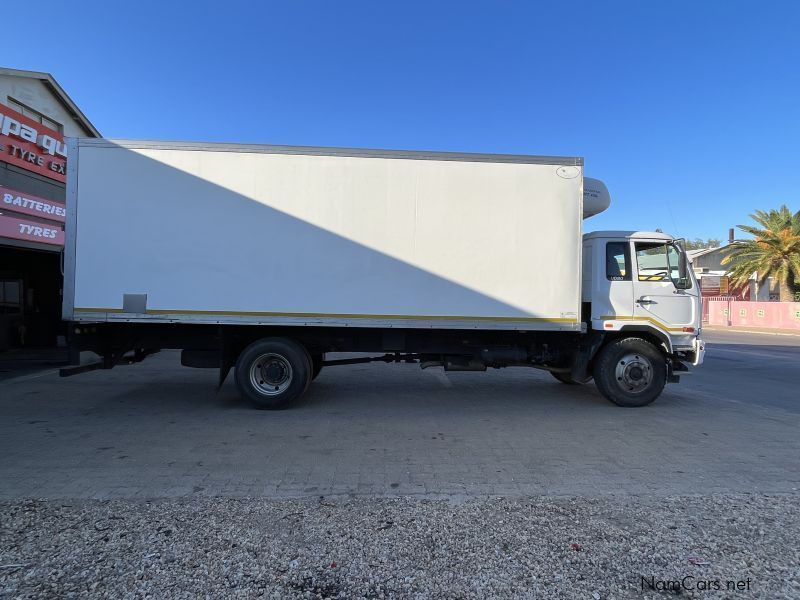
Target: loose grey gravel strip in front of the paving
[[400, 547]]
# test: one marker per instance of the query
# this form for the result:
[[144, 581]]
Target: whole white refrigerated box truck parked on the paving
[[263, 259]]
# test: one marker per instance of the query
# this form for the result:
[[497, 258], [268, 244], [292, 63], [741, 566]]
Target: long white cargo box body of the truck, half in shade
[[215, 233]]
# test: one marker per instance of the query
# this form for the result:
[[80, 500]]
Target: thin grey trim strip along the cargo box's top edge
[[328, 151]]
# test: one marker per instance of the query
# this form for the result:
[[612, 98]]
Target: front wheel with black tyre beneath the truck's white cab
[[630, 372]]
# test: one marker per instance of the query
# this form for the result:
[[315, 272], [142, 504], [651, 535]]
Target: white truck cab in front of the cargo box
[[640, 283]]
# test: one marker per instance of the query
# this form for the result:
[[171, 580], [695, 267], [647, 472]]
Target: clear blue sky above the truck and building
[[689, 111]]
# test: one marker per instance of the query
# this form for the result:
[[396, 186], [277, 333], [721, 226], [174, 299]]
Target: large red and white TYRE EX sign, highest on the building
[[31, 146]]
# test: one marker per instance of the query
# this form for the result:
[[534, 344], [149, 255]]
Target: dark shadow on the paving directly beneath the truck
[[401, 390]]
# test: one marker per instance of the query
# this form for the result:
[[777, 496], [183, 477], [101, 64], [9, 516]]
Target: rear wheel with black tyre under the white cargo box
[[273, 372]]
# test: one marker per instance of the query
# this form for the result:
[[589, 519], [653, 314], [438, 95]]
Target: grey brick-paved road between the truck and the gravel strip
[[159, 430]]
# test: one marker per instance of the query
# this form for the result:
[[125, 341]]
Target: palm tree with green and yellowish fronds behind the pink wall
[[774, 251]]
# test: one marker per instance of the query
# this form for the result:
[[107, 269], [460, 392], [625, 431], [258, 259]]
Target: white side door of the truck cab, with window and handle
[[665, 293]]
